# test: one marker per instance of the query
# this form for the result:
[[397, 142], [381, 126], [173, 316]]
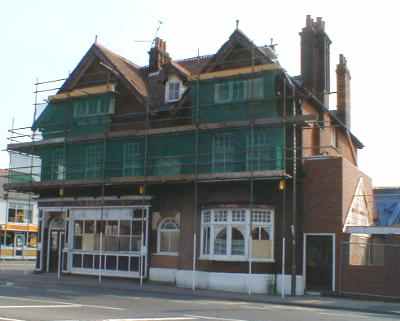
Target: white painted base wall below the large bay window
[[233, 282]]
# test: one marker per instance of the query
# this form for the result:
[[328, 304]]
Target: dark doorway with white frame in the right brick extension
[[319, 262]]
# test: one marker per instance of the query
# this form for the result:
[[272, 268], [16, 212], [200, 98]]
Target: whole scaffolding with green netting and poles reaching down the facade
[[251, 138]]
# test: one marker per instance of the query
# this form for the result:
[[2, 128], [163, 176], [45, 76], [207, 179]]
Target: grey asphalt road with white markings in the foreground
[[62, 303]]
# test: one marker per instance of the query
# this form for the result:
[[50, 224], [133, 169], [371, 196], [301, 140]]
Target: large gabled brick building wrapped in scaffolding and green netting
[[194, 171]]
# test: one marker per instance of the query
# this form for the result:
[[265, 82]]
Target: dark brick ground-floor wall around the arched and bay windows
[[170, 199]]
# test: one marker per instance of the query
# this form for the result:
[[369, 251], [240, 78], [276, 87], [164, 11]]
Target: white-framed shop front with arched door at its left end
[[109, 240]]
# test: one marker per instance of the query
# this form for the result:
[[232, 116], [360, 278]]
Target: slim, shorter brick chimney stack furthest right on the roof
[[343, 91]]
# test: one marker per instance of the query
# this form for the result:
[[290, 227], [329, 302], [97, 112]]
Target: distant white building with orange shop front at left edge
[[18, 223]]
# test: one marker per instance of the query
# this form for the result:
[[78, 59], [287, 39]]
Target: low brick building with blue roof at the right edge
[[373, 250]]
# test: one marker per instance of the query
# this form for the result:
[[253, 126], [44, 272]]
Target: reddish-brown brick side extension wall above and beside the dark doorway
[[329, 187]]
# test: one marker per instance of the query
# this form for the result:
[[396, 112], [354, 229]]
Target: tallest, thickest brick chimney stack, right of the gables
[[315, 61]]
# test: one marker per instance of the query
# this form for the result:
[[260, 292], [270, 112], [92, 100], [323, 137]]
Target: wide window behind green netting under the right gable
[[238, 90]]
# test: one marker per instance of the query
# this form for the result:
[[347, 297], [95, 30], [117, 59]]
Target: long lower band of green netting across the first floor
[[234, 150]]
